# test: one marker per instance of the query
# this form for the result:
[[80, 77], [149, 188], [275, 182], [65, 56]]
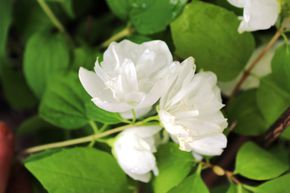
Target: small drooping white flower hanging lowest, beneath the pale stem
[[134, 150]]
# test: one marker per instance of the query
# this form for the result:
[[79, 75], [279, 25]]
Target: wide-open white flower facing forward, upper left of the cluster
[[131, 76]]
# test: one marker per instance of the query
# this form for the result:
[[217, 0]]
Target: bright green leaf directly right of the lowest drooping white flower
[[174, 165]]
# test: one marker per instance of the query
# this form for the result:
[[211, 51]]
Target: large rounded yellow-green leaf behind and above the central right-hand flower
[[209, 34]]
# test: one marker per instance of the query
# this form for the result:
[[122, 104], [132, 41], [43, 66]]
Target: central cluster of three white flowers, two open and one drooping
[[134, 77]]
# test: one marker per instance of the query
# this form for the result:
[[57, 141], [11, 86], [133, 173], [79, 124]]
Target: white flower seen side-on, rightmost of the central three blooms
[[190, 111]]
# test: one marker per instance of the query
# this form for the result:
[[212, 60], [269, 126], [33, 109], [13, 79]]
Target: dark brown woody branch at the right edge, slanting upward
[[277, 128]]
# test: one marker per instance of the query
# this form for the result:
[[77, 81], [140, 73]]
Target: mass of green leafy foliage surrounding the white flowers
[[43, 44]]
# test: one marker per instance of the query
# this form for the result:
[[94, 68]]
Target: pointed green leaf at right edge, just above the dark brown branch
[[272, 99]]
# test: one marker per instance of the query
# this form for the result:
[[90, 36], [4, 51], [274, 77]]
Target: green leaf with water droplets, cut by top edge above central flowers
[[147, 16]]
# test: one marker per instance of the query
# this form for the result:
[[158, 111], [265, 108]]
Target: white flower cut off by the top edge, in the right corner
[[258, 14]]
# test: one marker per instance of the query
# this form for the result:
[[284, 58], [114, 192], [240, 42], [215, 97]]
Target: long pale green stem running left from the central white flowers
[[81, 140]]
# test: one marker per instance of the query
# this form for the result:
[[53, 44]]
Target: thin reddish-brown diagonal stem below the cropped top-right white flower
[[255, 62]]
